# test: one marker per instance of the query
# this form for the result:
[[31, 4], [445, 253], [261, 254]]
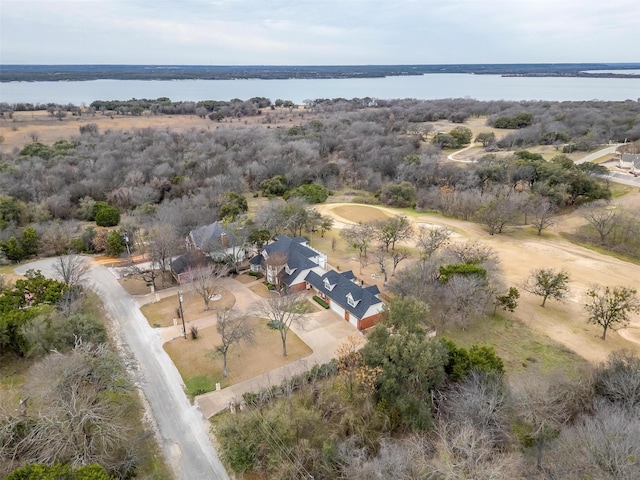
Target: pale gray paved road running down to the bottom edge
[[183, 429]]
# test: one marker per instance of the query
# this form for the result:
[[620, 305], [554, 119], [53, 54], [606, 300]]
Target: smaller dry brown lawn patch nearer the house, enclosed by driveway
[[162, 313]]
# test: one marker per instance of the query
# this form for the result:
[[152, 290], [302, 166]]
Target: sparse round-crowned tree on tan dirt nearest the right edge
[[610, 307]]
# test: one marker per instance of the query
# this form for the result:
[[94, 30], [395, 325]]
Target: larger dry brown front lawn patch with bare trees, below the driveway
[[200, 365]]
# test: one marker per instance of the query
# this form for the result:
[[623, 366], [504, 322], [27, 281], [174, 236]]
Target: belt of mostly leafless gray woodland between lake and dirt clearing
[[385, 148]]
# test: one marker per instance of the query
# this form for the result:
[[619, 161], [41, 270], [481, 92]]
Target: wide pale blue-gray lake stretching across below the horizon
[[427, 87]]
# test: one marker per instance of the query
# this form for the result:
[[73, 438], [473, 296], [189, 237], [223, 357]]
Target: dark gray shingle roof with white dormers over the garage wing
[[343, 286]]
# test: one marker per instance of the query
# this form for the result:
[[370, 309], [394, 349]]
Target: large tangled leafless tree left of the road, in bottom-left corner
[[84, 420]]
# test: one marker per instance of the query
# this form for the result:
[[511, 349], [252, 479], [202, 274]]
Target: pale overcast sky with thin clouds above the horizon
[[320, 32]]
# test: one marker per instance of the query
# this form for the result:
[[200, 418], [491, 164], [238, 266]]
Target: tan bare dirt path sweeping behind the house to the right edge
[[563, 322]]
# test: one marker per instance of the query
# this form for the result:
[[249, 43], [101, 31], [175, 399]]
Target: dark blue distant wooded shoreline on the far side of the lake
[[54, 73]]
